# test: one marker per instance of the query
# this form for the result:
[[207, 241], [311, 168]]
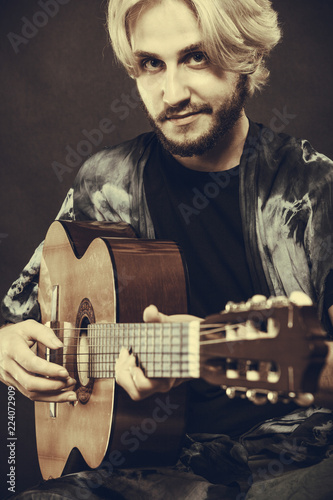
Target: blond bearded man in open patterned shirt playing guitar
[[195, 64]]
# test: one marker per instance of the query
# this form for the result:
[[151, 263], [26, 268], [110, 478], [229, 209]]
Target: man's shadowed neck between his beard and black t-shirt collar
[[225, 155]]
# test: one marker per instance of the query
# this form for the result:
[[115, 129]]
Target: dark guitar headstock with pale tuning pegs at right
[[264, 349]]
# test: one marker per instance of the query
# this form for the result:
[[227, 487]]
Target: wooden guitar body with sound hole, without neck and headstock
[[101, 273]]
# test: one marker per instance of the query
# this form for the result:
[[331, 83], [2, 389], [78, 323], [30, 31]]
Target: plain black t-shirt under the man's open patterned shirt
[[200, 211]]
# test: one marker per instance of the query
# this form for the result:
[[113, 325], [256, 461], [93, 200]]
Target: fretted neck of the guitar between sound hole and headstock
[[163, 349]]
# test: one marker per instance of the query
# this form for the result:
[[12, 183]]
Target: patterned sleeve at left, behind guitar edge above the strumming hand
[[20, 302]]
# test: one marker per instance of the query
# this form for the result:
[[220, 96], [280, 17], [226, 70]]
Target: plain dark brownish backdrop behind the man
[[64, 80]]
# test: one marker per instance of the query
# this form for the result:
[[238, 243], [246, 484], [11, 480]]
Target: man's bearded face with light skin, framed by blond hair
[[190, 102]]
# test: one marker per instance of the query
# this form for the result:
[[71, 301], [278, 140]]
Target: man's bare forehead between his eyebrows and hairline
[[164, 28]]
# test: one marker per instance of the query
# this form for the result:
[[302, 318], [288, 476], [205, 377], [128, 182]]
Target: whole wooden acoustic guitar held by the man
[[95, 281]]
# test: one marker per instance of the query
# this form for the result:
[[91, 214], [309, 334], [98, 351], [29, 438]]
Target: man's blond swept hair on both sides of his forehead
[[238, 35]]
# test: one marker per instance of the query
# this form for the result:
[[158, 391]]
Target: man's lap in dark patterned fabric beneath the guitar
[[282, 459]]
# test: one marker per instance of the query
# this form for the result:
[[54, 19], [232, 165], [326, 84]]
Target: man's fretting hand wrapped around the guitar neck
[[131, 377]]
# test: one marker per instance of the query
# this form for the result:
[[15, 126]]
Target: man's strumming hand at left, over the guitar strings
[[36, 378]]
